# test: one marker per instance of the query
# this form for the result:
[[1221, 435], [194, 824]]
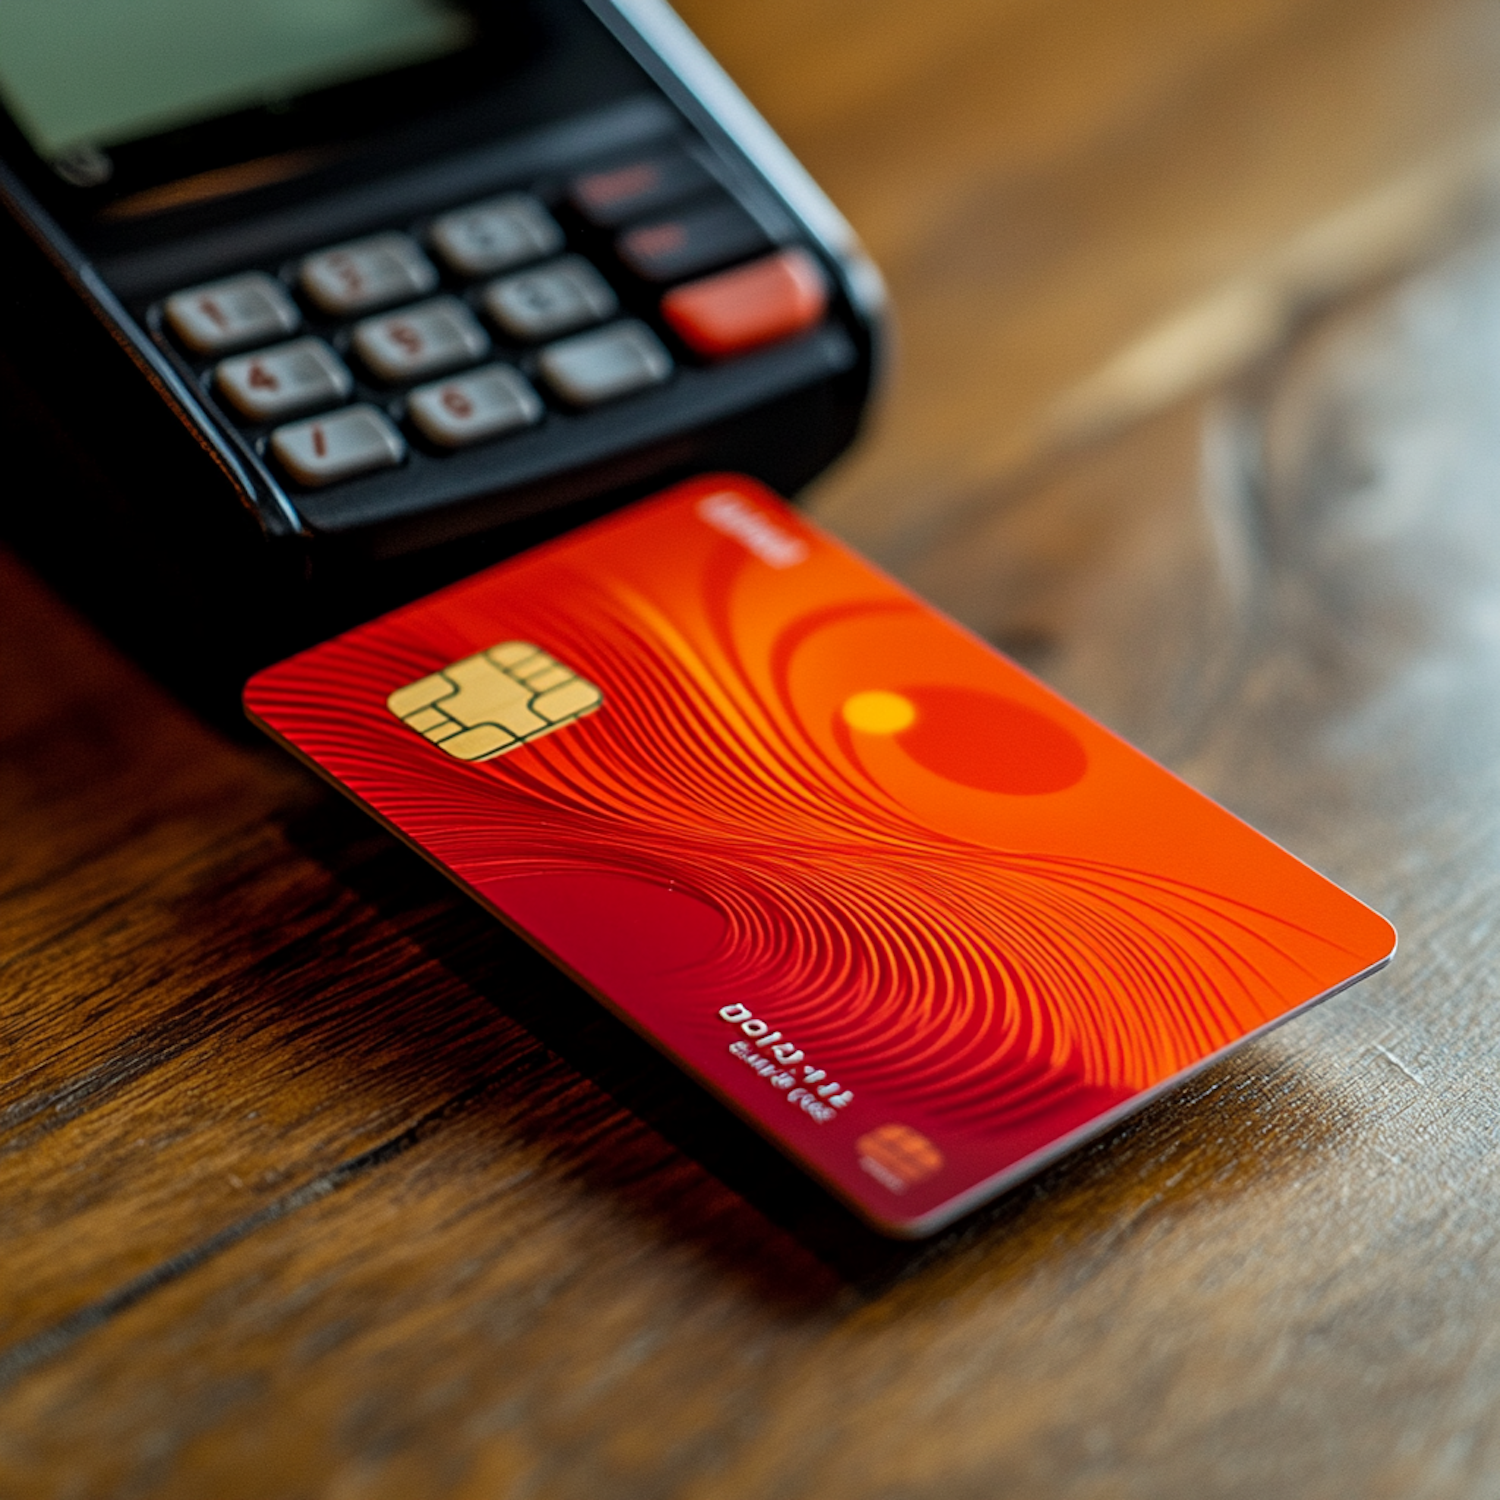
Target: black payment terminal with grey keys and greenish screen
[[320, 302]]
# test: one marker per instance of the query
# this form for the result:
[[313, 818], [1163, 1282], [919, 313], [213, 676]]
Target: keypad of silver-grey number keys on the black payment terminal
[[472, 326]]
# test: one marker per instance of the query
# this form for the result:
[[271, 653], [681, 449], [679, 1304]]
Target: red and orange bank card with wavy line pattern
[[910, 913]]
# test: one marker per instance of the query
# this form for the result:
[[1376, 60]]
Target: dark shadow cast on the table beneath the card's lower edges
[[1175, 1151]]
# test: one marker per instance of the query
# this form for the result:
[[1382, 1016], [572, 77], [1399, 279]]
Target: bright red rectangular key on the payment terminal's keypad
[[751, 305]]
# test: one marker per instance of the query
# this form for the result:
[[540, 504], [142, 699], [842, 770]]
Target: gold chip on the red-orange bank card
[[494, 703]]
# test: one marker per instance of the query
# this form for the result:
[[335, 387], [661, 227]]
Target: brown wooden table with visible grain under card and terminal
[[316, 1184]]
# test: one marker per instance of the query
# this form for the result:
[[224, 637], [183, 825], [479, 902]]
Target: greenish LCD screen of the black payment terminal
[[80, 74]]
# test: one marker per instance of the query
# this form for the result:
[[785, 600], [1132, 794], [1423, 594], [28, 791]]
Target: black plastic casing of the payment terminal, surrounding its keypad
[[164, 518]]
